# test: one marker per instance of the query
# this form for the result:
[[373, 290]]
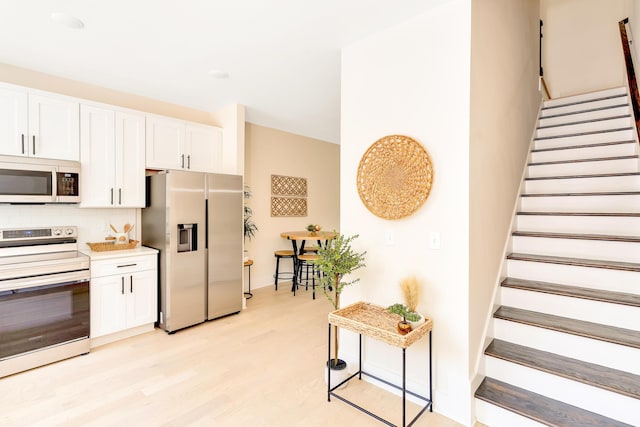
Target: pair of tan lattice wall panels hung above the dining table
[[288, 196]]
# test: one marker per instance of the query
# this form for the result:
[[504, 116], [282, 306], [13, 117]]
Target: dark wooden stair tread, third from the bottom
[[612, 334]]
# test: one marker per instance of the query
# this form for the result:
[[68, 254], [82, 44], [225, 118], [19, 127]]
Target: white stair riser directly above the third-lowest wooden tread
[[621, 316]]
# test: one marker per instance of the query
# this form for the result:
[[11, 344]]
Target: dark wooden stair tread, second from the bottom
[[603, 377]]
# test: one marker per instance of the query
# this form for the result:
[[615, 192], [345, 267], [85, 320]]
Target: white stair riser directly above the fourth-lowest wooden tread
[[596, 278]]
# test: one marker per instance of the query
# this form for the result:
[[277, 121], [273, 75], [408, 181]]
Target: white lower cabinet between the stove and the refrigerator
[[123, 293]]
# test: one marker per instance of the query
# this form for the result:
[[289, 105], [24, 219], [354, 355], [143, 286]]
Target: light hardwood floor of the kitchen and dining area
[[262, 367]]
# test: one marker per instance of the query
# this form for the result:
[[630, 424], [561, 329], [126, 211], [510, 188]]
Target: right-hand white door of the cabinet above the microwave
[[54, 127]]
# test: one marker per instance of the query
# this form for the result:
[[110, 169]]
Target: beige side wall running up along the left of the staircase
[[504, 106]]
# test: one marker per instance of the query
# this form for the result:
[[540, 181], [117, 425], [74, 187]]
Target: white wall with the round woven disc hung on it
[[413, 79]]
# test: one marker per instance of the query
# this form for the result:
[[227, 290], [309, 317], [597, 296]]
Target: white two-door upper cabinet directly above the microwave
[[35, 124]]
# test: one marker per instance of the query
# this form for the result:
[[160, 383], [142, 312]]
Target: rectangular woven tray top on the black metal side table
[[374, 321]]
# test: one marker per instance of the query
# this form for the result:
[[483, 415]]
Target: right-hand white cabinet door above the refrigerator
[[203, 148]]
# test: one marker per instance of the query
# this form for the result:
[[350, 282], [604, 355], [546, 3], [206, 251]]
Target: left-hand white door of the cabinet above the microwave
[[13, 123]]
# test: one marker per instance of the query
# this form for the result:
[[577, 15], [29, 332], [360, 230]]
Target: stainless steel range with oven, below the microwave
[[44, 298]]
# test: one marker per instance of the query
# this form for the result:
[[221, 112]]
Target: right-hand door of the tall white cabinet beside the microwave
[[129, 153]]
